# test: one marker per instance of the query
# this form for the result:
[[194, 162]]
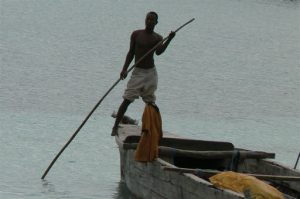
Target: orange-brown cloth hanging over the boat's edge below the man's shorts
[[147, 149]]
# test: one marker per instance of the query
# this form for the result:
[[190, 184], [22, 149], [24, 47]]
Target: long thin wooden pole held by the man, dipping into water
[[99, 102]]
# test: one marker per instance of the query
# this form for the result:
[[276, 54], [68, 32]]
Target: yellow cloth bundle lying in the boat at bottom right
[[241, 182]]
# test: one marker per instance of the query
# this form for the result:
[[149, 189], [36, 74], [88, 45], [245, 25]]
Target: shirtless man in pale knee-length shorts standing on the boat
[[143, 81]]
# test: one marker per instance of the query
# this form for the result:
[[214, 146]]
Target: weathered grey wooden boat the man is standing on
[[181, 170]]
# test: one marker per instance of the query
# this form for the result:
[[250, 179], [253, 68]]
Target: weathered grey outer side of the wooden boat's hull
[[149, 180]]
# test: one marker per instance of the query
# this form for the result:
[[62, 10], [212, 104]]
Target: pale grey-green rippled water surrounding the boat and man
[[231, 75]]
